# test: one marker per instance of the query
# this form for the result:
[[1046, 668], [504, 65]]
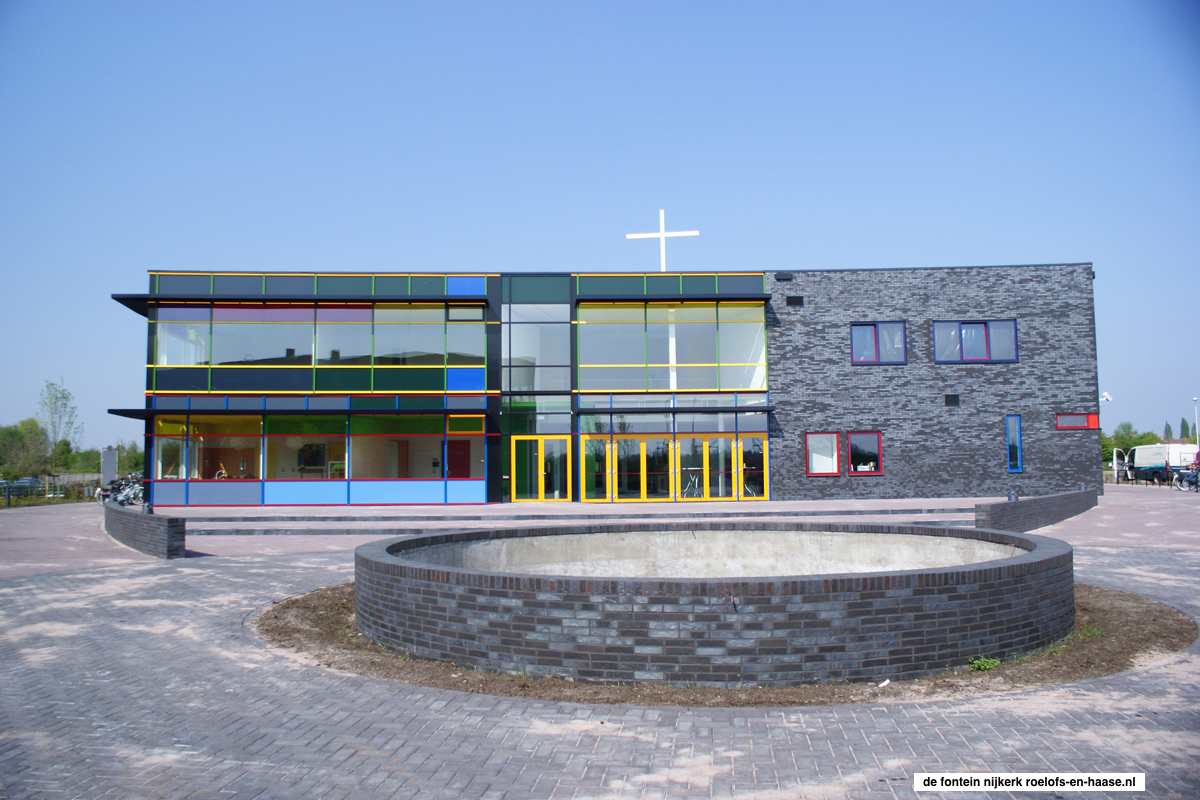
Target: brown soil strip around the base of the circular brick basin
[[1114, 631]]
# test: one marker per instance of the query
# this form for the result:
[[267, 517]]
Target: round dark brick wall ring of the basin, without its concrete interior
[[771, 631]]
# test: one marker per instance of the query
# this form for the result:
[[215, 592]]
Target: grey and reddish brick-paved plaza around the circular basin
[[127, 677]]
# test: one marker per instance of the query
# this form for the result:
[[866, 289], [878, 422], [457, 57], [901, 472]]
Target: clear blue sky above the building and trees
[[527, 136]]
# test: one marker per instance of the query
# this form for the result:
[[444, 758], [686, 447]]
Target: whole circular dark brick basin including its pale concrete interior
[[717, 604]]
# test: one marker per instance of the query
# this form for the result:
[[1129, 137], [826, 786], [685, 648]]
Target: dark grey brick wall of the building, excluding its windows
[[932, 450]]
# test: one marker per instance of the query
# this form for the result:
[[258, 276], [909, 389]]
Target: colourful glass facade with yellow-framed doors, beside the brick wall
[[308, 389]]
